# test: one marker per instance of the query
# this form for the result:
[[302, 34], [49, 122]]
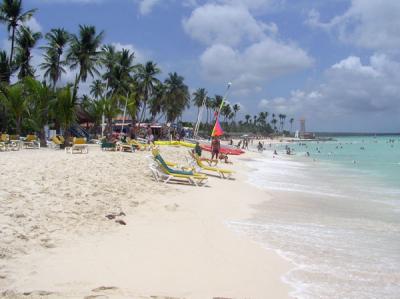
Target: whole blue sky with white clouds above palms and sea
[[335, 63]]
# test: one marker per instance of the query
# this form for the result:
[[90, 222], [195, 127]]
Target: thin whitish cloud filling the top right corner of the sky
[[370, 24]]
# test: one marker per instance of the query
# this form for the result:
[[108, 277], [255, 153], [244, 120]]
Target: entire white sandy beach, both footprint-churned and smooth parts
[[56, 241]]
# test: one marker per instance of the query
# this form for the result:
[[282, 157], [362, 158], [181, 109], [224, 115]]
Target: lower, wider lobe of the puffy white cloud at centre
[[255, 65]]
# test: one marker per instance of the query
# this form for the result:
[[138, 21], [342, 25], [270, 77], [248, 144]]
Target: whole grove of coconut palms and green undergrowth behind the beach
[[35, 97]]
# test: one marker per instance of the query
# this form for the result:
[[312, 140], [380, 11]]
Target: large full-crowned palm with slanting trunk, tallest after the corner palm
[[83, 53]]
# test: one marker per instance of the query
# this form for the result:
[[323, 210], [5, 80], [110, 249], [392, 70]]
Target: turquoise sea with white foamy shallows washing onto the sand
[[335, 215]]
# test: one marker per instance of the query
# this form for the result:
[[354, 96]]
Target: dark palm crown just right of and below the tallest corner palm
[[26, 41]]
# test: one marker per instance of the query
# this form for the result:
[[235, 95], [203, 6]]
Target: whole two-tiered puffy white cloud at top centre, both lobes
[[241, 48]]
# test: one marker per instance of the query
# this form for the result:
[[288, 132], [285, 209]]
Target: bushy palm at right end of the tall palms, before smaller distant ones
[[177, 97]]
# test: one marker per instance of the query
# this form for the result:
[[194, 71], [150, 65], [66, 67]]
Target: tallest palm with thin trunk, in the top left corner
[[12, 14]]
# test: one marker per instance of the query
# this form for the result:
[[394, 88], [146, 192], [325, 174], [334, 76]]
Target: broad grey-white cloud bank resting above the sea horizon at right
[[352, 93]]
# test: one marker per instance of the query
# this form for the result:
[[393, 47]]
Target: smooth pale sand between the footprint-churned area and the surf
[[182, 248]]
